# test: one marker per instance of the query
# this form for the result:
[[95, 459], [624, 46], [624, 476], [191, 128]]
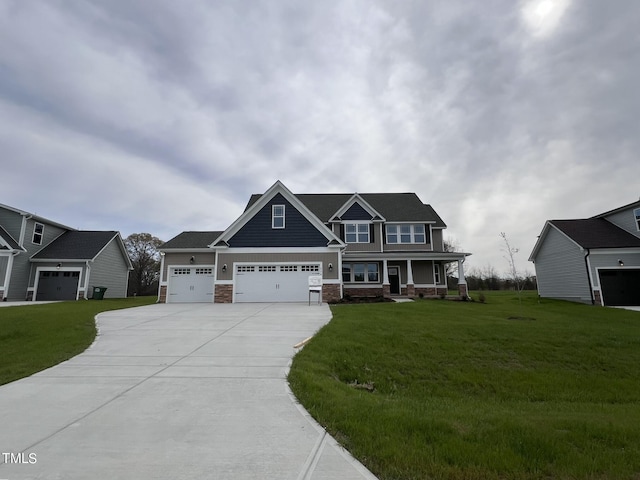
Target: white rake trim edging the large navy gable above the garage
[[256, 202]]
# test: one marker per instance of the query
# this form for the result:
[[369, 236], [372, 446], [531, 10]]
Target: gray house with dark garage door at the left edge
[[45, 260]]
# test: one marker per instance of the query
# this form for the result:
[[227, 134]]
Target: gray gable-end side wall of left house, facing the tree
[[109, 270]]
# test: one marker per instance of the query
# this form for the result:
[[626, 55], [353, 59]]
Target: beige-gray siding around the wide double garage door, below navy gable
[[230, 258]]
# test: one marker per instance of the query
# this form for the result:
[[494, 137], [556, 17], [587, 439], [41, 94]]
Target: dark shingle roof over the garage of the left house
[[76, 245]]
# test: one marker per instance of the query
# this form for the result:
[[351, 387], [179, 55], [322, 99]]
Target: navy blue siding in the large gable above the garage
[[298, 231]]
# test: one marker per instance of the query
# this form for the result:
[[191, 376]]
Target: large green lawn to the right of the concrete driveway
[[440, 389]]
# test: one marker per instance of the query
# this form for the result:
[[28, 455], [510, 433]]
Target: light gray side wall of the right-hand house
[[561, 270]]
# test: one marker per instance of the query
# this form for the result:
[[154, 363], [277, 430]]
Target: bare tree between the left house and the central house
[[145, 258]]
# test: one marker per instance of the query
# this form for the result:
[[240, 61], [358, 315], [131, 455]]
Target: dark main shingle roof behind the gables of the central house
[[393, 207]]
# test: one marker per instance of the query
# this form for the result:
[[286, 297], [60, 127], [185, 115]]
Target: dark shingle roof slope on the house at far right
[[596, 233]]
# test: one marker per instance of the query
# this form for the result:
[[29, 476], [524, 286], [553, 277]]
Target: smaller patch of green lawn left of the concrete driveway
[[36, 337]]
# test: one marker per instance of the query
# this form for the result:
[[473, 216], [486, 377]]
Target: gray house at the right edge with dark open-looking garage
[[594, 260]]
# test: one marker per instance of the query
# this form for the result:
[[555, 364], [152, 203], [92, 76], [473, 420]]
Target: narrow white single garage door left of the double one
[[190, 284]]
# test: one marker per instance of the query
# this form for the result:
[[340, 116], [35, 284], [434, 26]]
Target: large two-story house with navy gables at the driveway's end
[[377, 244]]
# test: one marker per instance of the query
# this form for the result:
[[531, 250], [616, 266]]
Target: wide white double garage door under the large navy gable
[[273, 282]]
